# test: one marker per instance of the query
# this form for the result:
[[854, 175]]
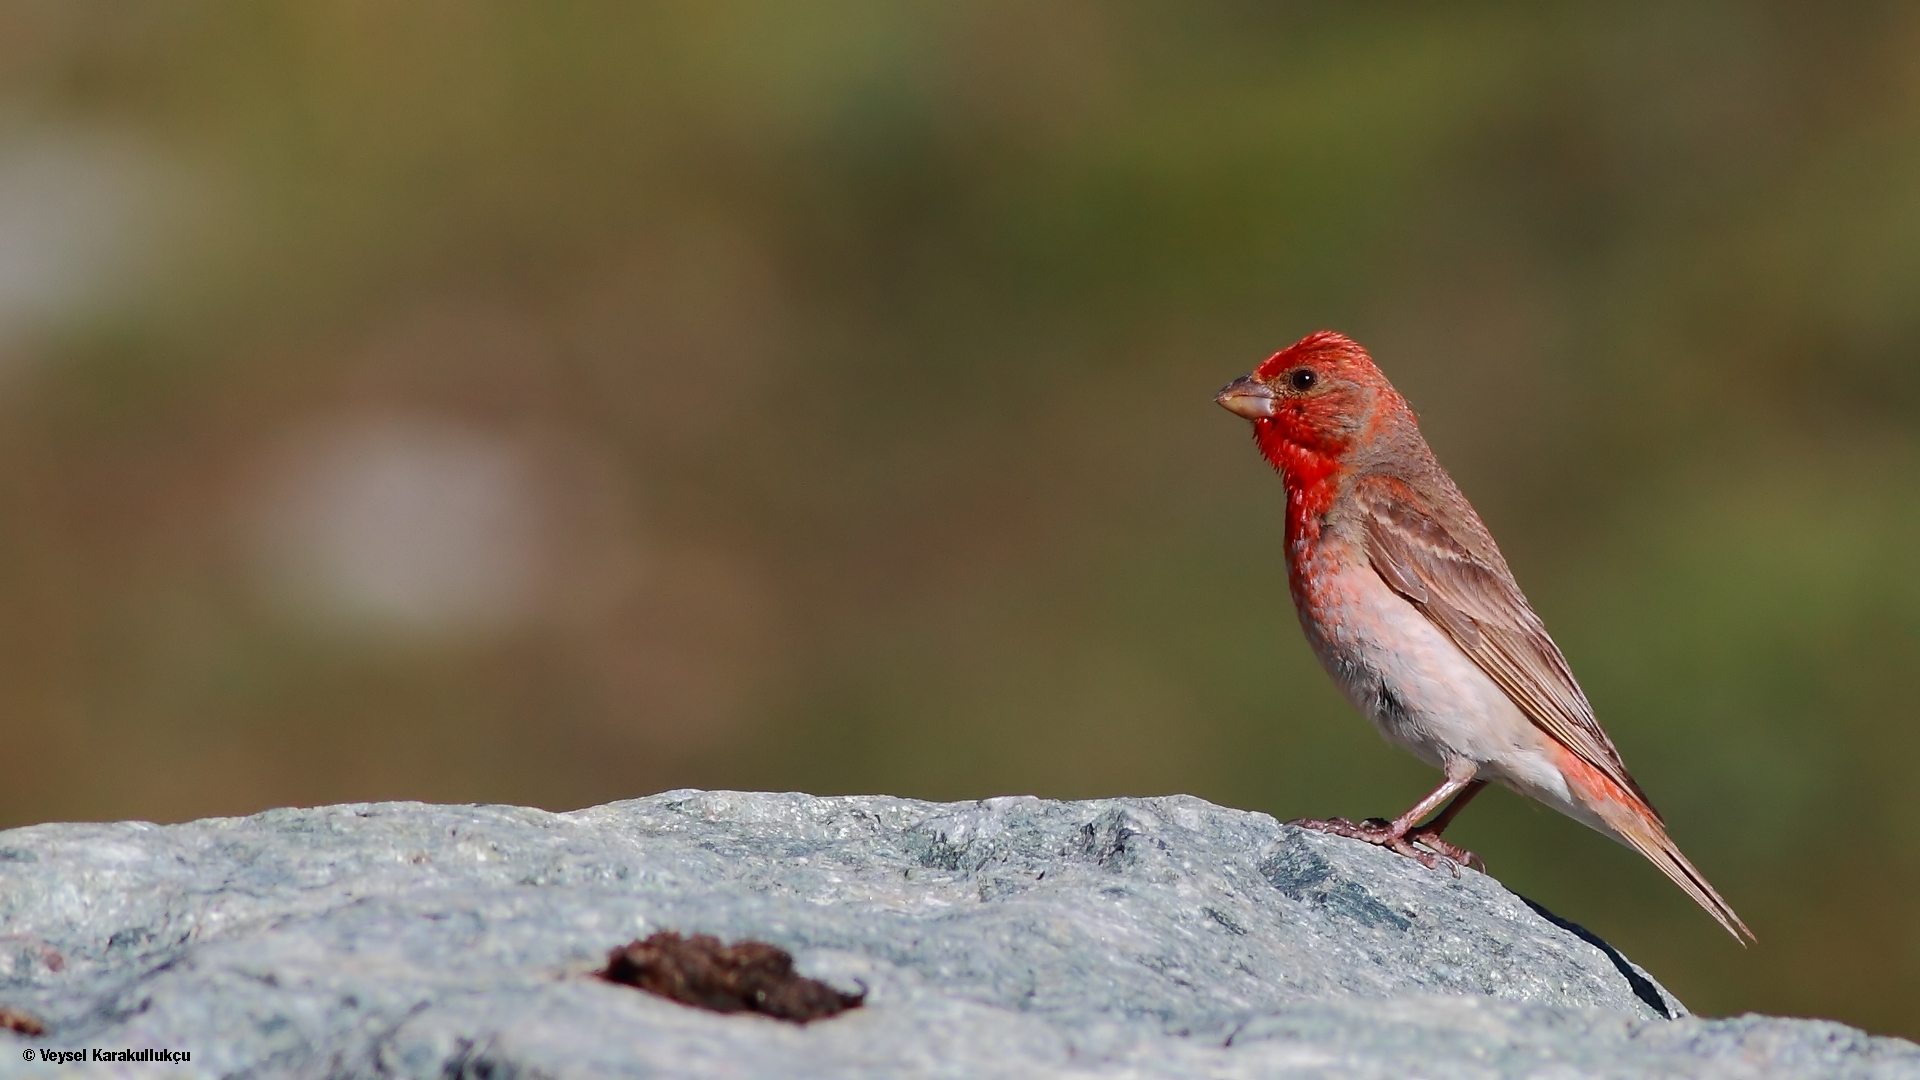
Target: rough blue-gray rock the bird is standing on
[[1001, 939]]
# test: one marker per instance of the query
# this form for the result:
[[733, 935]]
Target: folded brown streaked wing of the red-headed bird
[[1483, 610]]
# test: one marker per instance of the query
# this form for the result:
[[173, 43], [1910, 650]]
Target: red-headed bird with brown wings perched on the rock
[[1412, 610]]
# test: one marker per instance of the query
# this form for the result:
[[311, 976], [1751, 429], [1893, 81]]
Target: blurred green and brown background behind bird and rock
[[564, 403]]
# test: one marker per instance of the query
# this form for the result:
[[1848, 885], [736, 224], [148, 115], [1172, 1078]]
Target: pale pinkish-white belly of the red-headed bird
[[1424, 693]]
